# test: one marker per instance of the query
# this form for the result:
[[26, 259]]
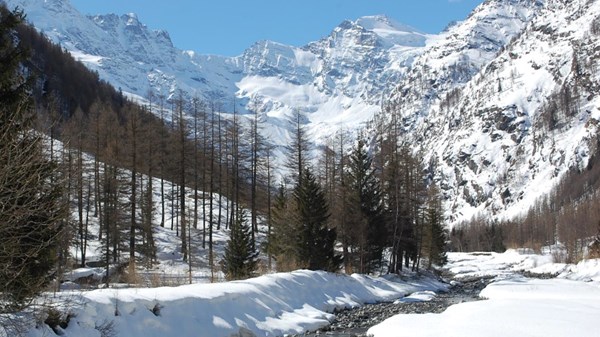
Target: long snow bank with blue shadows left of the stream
[[271, 305]]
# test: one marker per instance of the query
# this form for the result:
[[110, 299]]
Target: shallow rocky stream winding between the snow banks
[[355, 322]]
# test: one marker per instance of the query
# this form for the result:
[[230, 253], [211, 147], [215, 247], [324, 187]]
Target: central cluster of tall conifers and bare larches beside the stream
[[369, 197]]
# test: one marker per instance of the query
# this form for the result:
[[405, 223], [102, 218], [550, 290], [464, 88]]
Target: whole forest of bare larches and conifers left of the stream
[[363, 206]]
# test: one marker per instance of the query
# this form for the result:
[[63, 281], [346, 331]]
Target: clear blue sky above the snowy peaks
[[228, 27]]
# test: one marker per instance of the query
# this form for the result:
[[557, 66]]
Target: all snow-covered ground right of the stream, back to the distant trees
[[568, 305]]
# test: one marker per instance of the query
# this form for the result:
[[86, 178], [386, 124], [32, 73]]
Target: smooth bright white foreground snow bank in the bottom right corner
[[520, 307]]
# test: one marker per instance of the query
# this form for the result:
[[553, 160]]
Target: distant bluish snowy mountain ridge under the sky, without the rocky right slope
[[337, 80]]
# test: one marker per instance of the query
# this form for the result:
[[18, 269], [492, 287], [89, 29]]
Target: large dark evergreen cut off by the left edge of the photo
[[31, 204]]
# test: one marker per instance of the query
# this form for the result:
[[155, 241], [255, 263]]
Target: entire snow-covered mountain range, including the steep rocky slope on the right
[[501, 103]]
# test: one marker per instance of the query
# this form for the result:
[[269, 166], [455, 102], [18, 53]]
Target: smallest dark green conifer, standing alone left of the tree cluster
[[240, 261]]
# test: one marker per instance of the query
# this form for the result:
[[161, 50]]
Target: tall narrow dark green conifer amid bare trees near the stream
[[367, 222]]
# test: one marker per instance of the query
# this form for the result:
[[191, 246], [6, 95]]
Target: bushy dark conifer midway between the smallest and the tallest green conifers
[[315, 240]]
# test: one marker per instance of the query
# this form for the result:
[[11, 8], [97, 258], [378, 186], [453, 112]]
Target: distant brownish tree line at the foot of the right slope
[[566, 218]]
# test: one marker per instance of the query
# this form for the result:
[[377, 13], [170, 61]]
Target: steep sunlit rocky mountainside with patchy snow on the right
[[488, 134]]
